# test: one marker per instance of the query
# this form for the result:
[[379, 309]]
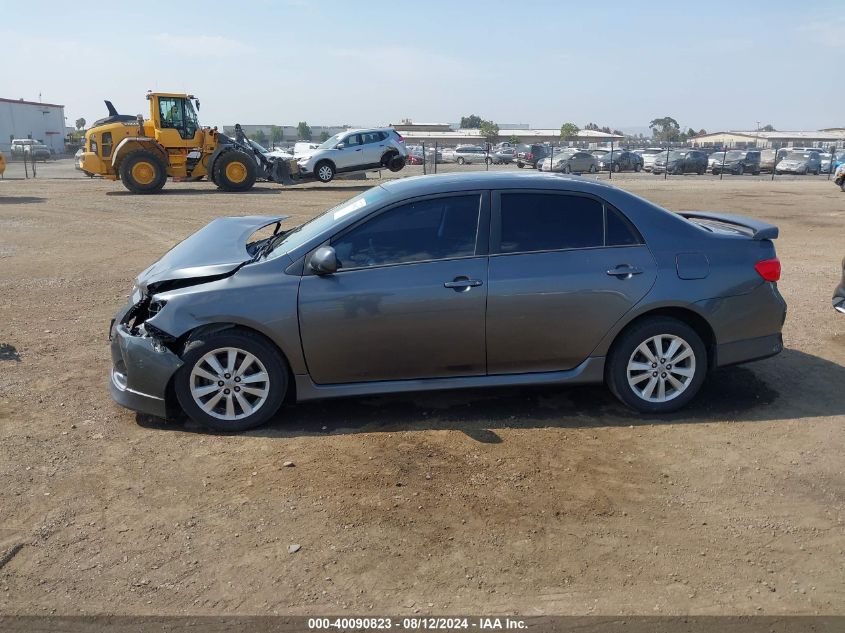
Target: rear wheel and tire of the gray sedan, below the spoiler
[[657, 365]]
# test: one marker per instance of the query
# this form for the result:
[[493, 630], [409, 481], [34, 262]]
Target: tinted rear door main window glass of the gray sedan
[[539, 222]]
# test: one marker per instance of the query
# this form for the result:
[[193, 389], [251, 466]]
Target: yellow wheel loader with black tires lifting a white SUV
[[143, 153]]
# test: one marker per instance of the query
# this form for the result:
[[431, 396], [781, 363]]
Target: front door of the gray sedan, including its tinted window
[[408, 299]]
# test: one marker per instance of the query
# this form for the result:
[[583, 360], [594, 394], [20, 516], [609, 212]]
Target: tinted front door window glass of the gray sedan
[[439, 228]]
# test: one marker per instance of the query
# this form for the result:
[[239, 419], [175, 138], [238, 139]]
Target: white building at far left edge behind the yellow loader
[[43, 122]]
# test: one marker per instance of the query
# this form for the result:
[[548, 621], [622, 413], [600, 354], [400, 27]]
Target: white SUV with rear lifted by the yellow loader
[[355, 150]]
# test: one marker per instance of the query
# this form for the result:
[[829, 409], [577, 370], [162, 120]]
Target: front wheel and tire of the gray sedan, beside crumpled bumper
[[231, 380]]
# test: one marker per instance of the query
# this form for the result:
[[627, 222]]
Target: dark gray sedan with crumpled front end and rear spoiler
[[450, 281]]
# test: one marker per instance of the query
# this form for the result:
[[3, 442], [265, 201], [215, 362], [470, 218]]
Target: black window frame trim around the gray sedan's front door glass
[[482, 233]]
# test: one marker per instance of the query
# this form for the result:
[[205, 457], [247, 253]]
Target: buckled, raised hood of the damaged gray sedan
[[217, 249]]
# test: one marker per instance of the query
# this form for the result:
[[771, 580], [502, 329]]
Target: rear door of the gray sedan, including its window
[[564, 267]]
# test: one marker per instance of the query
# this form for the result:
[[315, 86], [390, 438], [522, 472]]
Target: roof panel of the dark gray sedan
[[442, 183]]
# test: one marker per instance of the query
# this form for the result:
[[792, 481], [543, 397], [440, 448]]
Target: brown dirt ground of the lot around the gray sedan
[[527, 501]]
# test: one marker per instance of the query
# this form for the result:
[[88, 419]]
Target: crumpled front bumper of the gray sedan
[[141, 369]]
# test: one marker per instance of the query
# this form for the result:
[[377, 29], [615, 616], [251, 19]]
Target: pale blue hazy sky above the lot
[[716, 65]]
